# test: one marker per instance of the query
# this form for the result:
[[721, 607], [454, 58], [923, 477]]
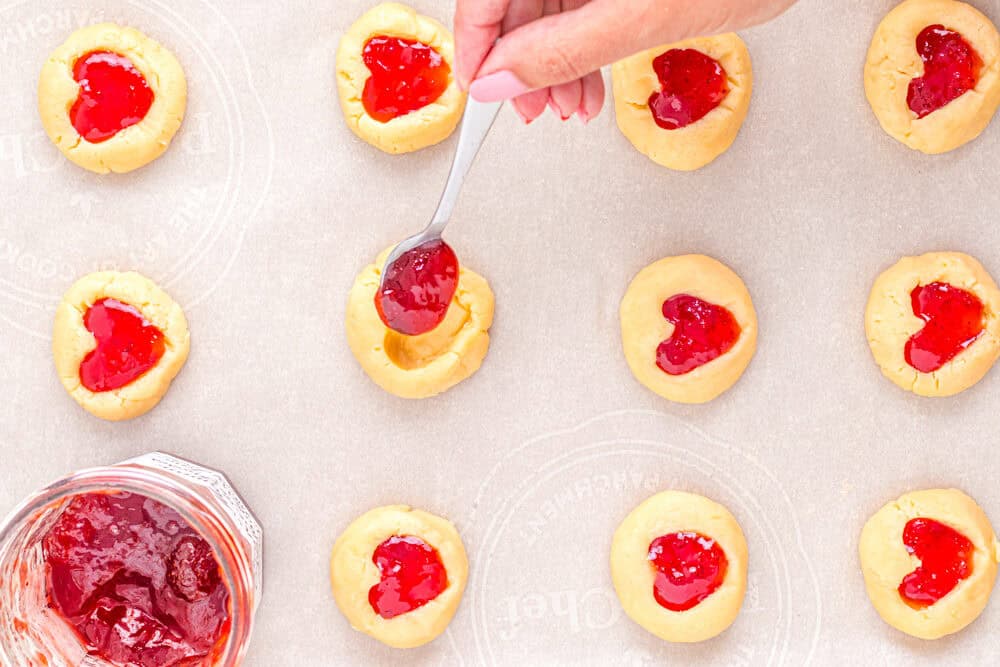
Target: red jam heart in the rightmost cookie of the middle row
[[954, 320]]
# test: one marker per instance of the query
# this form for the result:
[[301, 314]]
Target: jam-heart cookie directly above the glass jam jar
[[118, 342]]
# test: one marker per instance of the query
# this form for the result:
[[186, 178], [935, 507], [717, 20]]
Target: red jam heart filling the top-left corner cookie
[[113, 95]]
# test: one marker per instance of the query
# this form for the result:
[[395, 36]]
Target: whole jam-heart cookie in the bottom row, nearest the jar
[[402, 540]]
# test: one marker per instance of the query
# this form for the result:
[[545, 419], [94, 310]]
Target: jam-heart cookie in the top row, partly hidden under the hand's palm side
[[636, 81]]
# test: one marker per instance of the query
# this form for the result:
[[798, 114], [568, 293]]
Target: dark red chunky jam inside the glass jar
[[140, 586]]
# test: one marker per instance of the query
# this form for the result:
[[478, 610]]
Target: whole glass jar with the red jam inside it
[[153, 562]]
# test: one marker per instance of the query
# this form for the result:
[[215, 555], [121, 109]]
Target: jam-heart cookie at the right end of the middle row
[[913, 351]]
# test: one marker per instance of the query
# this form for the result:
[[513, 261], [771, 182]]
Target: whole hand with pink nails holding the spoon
[[551, 51]]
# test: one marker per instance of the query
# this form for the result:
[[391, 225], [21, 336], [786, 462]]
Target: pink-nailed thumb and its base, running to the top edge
[[568, 46]]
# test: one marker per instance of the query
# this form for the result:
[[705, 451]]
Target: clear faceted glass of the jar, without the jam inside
[[31, 633]]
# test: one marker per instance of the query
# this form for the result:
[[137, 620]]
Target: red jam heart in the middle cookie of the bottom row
[[689, 568]]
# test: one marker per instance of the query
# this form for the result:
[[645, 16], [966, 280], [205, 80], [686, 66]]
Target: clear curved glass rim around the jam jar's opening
[[163, 487]]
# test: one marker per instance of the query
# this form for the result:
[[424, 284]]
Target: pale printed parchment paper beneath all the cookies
[[259, 217]]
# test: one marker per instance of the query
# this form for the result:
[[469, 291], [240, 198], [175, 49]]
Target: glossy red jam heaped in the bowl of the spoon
[[417, 288]]
